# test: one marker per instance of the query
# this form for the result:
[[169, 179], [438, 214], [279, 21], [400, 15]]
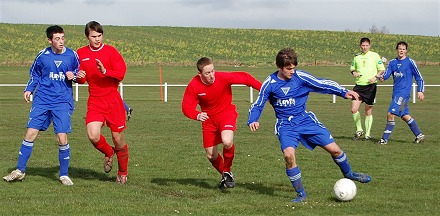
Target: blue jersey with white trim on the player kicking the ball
[[289, 97]]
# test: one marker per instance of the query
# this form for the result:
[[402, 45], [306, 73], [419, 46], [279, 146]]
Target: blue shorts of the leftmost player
[[40, 119]]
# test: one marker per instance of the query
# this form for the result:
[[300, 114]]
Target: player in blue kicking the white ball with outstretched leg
[[287, 90]]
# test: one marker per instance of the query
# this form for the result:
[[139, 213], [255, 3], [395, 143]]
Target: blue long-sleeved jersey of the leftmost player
[[48, 79]]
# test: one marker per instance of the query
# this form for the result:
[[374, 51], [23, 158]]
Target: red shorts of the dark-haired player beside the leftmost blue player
[[108, 109]]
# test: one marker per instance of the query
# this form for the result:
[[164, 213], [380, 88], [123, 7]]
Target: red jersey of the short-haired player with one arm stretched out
[[216, 97]]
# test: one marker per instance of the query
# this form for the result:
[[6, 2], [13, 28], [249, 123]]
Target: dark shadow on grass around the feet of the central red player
[[203, 183]]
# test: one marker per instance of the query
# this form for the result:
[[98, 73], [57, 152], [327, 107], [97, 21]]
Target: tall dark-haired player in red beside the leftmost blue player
[[103, 67]]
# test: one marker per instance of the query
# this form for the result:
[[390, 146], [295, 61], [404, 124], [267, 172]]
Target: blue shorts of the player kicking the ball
[[304, 128]]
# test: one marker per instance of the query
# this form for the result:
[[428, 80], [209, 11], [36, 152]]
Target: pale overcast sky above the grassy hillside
[[409, 17]]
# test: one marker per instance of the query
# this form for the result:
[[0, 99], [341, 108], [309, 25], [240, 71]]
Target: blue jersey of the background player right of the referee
[[403, 72]]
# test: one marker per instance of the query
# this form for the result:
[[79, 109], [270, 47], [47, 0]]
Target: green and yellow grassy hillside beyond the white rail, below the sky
[[177, 46]]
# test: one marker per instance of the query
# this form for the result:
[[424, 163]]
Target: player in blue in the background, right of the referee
[[402, 69]]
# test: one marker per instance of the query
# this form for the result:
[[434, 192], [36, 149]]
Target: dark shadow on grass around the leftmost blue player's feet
[[74, 173]]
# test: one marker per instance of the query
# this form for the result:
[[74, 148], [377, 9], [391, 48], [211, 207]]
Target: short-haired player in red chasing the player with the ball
[[212, 91]]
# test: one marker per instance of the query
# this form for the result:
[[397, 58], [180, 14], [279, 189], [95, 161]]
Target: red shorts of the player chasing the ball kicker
[[213, 127]]
